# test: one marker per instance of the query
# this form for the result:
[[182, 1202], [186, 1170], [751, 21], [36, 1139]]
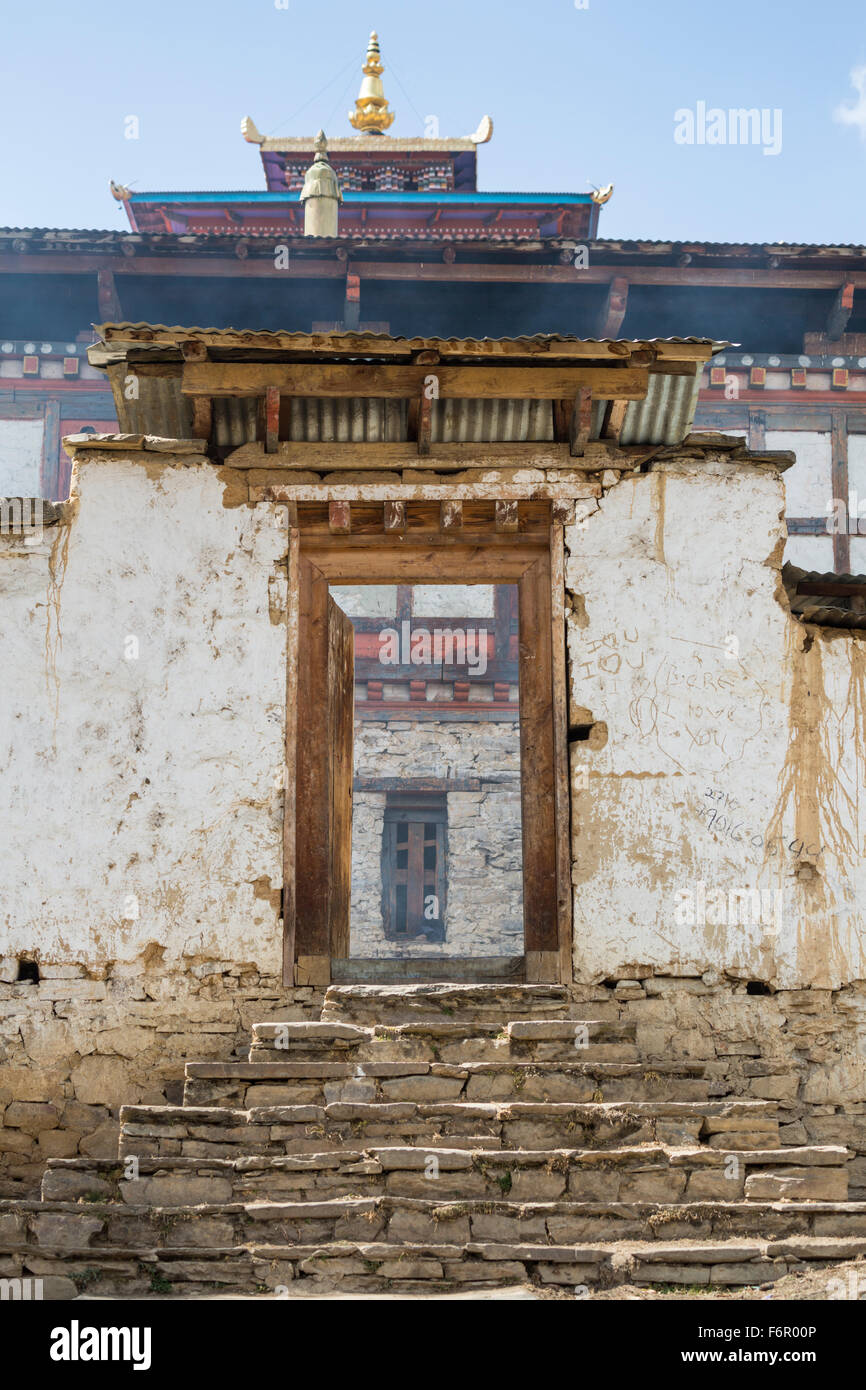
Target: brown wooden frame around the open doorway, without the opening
[[537, 566]]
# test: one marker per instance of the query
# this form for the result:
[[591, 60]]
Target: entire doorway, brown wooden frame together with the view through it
[[372, 926]]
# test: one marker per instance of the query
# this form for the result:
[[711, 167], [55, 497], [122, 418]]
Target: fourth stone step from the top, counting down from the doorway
[[220, 1132]]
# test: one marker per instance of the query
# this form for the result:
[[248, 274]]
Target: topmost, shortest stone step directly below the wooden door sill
[[461, 1003]]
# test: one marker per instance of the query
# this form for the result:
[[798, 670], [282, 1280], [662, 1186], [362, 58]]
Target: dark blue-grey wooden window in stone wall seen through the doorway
[[415, 876]]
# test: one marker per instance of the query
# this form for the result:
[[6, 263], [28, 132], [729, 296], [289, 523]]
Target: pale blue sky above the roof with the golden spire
[[578, 97]]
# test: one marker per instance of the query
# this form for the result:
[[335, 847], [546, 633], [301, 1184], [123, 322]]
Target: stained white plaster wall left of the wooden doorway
[[142, 804]]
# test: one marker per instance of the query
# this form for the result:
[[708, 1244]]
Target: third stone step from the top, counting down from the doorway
[[245, 1085]]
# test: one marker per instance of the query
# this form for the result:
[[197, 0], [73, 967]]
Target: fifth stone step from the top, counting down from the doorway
[[642, 1174]]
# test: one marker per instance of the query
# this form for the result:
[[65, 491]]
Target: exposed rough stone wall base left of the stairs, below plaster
[[87, 1040]]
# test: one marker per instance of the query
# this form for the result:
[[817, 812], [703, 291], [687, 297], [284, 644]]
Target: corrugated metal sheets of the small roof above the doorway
[[664, 418]]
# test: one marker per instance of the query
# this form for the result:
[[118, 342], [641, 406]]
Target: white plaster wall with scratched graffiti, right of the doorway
[[735, 739]]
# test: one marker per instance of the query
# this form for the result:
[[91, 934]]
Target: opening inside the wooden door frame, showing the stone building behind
[[437, 854]]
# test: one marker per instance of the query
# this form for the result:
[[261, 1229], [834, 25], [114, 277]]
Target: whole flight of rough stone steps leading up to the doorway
[[437, 1138]]
